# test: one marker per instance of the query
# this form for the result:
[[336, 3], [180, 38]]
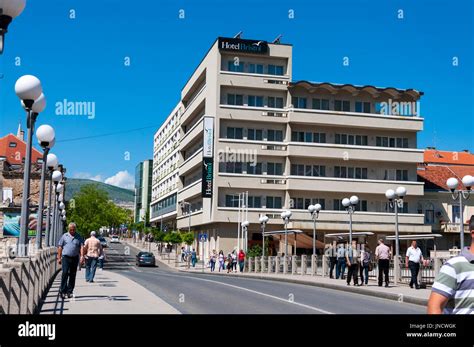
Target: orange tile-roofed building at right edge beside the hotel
[[441, 211]]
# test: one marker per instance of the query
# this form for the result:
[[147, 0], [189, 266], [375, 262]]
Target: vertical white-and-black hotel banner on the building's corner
[[208, 157]]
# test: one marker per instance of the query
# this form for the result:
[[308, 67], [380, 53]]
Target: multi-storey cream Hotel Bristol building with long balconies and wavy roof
[[243, 124]]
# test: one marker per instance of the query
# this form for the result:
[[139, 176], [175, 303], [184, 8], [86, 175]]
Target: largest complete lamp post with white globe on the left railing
[[29, 91]]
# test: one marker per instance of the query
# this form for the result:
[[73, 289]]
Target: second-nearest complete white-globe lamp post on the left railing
[[45, 135]]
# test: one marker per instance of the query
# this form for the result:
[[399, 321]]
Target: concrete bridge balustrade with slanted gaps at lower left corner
[[24, 281]]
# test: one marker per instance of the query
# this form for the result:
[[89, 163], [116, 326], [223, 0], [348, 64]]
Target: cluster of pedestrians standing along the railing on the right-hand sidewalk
[[359, 262]]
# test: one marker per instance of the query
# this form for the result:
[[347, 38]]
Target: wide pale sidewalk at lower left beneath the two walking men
[[111, 293]]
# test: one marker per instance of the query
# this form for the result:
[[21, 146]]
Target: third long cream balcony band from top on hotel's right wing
[[355, 186]]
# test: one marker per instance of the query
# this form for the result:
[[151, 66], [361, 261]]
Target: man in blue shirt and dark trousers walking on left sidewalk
[[70, 255]]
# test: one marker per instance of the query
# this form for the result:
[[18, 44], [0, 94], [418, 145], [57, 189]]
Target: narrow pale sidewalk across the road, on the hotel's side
[[401, 293]]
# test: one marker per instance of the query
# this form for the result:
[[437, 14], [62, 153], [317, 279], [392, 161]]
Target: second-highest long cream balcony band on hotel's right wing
[[365, 153]]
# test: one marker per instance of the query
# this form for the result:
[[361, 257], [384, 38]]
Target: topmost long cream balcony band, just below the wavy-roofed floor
[[355, 120]]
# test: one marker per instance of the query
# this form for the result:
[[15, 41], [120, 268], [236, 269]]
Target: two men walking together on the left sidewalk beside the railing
[[73, 253]]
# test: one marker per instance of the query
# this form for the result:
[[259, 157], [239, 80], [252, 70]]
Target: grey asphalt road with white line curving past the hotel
[[210, 294]]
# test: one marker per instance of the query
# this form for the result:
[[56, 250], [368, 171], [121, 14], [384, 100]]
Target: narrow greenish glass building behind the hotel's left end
[[143, 176]]
